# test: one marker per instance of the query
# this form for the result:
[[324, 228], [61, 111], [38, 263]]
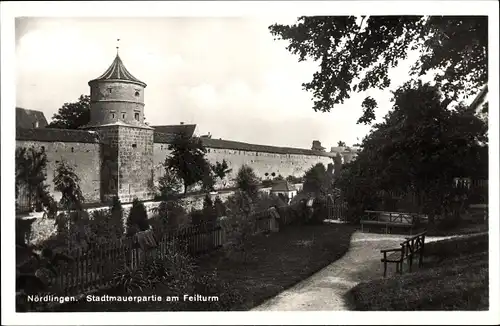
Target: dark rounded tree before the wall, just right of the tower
[[187, 160]]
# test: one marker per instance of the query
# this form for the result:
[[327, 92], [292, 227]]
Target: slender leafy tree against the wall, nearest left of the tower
[[68, 183]]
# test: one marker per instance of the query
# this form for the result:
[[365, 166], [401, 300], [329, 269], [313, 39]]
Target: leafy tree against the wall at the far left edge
[[31, 167]]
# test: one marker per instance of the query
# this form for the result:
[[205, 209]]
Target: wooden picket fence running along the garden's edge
[[93, 268]]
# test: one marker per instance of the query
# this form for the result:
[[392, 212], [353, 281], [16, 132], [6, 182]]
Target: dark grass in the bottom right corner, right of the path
[[454, 277]]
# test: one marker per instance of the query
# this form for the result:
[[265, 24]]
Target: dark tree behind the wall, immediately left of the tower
[[72, 115]]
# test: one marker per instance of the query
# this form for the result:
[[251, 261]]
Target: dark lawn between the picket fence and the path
[[273, 263]]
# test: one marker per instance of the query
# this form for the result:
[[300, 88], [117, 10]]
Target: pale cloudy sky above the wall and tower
[[227, 75]]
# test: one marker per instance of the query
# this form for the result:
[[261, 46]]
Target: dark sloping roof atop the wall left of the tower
[[57, 135]]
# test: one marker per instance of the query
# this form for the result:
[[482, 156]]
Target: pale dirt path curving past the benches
[[325, 289]]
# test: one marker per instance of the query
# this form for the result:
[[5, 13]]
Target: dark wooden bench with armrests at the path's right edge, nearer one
[[409, 249]]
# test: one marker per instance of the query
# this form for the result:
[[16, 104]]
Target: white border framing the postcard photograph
[[9, 10]]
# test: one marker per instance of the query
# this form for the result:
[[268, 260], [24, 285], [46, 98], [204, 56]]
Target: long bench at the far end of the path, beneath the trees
[[390, 219]]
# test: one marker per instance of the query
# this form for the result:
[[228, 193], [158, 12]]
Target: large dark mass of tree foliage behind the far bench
[[419, 148]]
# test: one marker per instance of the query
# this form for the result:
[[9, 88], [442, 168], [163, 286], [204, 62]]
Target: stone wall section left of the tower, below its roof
[[84, 157]]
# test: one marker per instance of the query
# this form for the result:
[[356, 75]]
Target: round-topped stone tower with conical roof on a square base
[[117, 114]]
